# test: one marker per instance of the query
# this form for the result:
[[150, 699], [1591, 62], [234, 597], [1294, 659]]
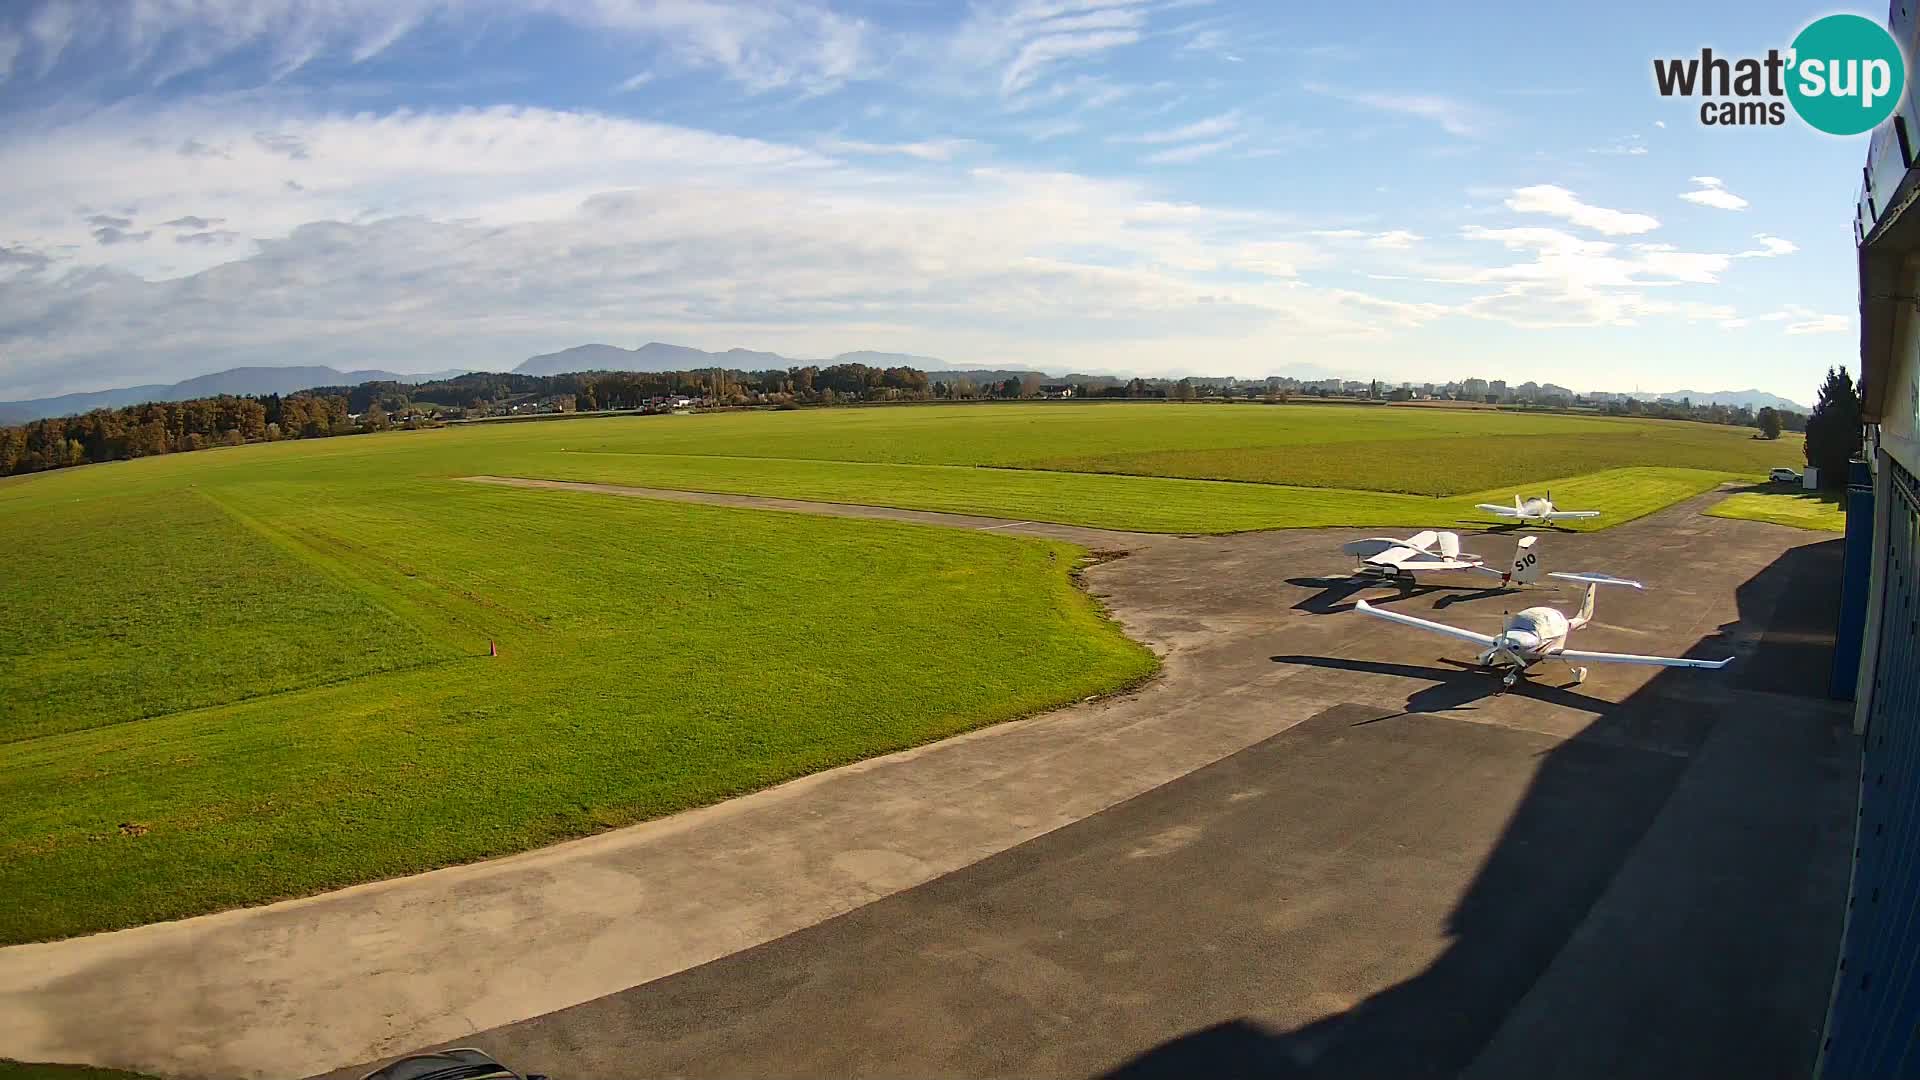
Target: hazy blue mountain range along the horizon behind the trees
[[652, 356]]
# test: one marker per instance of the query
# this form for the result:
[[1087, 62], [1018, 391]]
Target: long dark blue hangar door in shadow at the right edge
[[1875, 1023]]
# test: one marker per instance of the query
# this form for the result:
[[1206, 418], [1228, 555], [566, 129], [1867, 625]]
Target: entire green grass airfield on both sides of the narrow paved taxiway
[[256, 674]]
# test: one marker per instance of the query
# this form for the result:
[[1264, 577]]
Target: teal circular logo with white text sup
[[1846, 74]]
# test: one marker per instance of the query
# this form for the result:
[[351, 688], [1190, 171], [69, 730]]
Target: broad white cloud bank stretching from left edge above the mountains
[[477, 237]]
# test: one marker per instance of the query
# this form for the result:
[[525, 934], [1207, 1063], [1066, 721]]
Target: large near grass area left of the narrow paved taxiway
[[291, 687]]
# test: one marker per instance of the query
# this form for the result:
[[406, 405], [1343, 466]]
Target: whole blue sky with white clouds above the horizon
[[1141, 187]]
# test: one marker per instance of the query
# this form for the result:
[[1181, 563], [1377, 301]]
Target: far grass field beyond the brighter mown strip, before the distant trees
[[1433, 453]]
